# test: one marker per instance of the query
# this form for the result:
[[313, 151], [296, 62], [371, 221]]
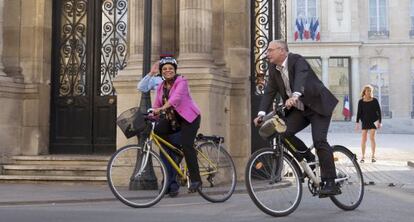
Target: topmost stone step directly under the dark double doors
[[61, 160]]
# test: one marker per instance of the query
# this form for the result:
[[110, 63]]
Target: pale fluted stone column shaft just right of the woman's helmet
[[196, 23]]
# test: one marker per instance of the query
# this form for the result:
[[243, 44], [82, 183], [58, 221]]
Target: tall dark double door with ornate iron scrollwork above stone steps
[[89, 47]]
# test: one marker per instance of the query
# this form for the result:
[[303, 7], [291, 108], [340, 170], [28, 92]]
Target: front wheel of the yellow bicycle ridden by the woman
[[132, 179]]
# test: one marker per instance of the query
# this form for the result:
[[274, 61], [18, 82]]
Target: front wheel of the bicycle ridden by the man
[[276, 195]]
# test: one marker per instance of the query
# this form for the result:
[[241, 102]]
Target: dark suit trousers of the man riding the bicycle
[[297, 120]]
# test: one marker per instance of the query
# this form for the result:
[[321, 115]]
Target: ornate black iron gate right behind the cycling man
[[268, 22]]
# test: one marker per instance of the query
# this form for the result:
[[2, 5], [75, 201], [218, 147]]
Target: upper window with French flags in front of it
[[306, 21]]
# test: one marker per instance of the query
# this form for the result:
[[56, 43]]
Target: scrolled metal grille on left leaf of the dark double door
[[72, 71]]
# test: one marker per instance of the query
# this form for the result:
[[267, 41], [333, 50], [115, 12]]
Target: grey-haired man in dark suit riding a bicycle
[[307, 101]]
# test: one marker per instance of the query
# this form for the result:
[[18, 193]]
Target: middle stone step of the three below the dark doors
[[54, 170]]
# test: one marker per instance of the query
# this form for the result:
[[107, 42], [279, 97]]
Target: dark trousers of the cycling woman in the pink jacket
[[188, 134]]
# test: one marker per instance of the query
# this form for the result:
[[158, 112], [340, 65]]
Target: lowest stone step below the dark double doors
[[52, 179]]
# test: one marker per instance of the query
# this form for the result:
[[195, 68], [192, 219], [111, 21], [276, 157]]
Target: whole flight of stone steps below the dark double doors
[[72, 169]]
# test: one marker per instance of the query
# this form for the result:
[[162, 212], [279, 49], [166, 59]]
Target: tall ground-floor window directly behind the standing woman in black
[[380, 81]]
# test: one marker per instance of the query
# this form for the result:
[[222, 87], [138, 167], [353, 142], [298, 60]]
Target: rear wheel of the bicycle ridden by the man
[[349, 178]]
